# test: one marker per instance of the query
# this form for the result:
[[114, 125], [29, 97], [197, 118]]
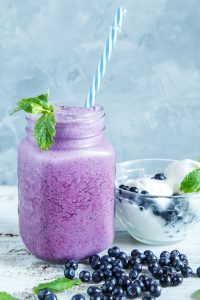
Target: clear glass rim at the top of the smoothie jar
[[67, 112]]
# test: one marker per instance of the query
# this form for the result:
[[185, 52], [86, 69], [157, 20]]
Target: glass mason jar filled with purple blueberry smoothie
[[66, 194]]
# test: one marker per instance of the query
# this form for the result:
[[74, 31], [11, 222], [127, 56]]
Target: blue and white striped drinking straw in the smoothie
[[105, 57]]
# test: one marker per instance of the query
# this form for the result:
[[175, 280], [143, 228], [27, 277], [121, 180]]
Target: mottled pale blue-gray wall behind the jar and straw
[[151, 90]]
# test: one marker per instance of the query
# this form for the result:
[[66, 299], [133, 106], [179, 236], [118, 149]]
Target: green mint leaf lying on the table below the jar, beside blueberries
[[58, 285]]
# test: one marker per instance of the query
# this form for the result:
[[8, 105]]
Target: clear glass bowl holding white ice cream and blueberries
[[154, 220]]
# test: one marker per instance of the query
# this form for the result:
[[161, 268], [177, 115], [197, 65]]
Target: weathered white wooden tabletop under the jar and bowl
[[20, 271]]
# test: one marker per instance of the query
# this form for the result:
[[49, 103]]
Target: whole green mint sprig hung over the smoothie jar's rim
[[45, 127]]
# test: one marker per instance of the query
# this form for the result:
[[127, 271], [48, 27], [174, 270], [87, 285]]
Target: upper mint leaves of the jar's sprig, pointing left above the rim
[[27, 104]]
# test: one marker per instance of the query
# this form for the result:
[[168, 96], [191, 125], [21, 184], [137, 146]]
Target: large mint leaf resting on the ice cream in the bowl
[[191, 182]]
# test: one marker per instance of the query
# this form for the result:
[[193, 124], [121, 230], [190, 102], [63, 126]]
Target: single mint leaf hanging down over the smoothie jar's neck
[[45, 130]]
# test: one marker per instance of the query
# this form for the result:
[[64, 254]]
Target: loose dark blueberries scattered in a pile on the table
[[119, 277]]
